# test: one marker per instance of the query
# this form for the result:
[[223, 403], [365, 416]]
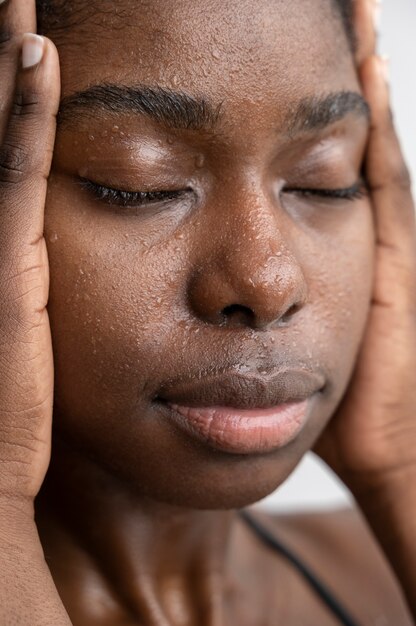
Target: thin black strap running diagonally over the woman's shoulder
[[318, 587]]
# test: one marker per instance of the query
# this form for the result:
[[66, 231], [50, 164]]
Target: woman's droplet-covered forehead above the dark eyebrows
[[254, 49]]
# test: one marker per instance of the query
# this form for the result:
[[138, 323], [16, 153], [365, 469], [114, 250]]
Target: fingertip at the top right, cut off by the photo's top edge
[[365, 17]]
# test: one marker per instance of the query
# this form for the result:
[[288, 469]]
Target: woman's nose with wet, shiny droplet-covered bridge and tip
[[247, 274]]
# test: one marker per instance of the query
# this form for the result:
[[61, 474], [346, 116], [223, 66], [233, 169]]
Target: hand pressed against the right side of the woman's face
[[372, 437]]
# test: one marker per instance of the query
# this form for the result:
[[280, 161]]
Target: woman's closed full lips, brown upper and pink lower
[[243, 414]]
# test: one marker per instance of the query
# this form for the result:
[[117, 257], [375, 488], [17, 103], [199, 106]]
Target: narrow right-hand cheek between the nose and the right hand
[[340, 278]]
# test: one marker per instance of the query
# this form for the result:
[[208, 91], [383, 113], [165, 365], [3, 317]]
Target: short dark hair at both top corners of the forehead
[[55, 15]]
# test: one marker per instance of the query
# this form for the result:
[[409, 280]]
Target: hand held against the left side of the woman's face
[[27, 132]]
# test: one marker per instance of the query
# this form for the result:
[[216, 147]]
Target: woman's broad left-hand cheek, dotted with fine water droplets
[[113, 309]]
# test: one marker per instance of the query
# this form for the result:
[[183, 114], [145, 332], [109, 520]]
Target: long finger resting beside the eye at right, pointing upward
[[390, 187]]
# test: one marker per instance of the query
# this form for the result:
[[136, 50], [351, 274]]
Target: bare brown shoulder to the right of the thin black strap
[[341, 550]]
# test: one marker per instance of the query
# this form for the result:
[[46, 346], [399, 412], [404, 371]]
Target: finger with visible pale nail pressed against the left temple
[[26, 149]]
